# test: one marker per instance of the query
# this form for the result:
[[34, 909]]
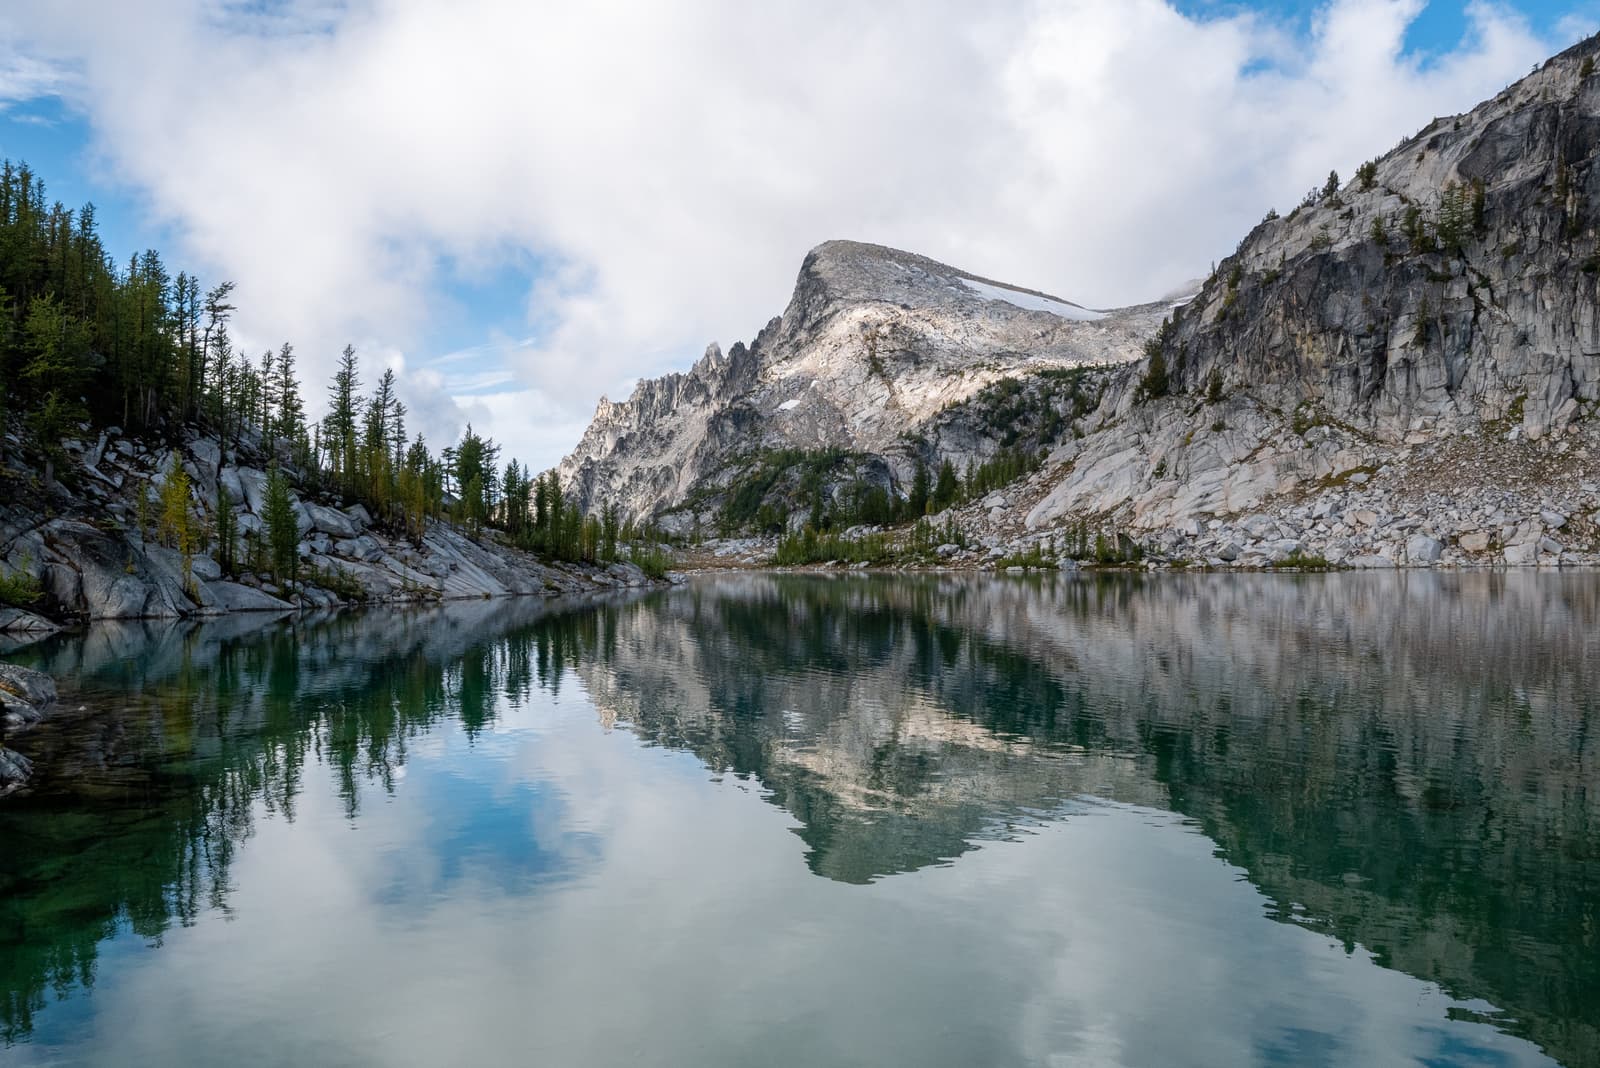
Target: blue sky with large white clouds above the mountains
[[526, 205]]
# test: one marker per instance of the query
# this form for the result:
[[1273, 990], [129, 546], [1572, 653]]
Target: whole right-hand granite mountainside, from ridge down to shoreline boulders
[[1402, 370]]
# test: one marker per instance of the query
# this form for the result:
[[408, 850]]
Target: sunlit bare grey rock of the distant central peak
[[873, 348]]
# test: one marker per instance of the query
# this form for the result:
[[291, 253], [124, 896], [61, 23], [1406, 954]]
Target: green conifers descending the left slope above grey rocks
[[86, 338]]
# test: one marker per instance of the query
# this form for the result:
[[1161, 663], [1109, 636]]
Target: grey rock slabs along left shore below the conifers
[[89, 548]]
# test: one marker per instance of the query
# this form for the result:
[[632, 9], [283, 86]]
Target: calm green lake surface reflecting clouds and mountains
[[826, 821]]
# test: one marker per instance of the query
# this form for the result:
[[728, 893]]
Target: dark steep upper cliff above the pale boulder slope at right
[[1454, 284]]
